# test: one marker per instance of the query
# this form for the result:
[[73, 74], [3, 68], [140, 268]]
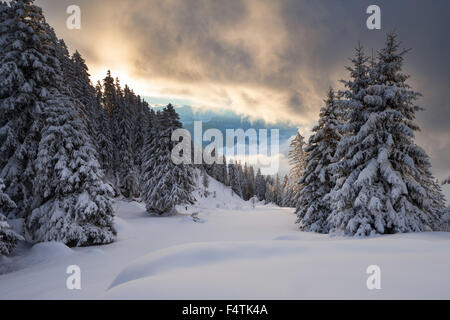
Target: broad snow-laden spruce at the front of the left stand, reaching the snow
[[72, 204]]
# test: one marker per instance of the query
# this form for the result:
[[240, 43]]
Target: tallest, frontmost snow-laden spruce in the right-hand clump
[[387, 186]]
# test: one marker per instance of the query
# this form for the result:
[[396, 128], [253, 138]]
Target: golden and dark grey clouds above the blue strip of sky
[[270, 60]]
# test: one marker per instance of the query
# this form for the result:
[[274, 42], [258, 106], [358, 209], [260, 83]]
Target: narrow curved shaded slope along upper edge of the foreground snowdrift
[[201, 254]]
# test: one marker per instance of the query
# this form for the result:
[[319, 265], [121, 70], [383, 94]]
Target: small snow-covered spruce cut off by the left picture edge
[[8, 238]]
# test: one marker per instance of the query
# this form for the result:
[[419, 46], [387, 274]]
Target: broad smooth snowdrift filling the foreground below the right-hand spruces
[[300, 269]]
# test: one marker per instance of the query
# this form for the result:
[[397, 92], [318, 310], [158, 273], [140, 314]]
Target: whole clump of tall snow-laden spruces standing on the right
[[365, 174]]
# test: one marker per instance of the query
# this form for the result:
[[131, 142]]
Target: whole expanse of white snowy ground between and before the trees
[[231, 251]]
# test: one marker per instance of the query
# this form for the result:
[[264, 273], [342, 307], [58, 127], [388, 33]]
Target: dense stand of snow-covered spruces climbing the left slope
[[68, 148]]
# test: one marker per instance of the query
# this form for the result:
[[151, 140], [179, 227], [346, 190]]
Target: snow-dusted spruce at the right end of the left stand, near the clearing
[[165, 184]]
